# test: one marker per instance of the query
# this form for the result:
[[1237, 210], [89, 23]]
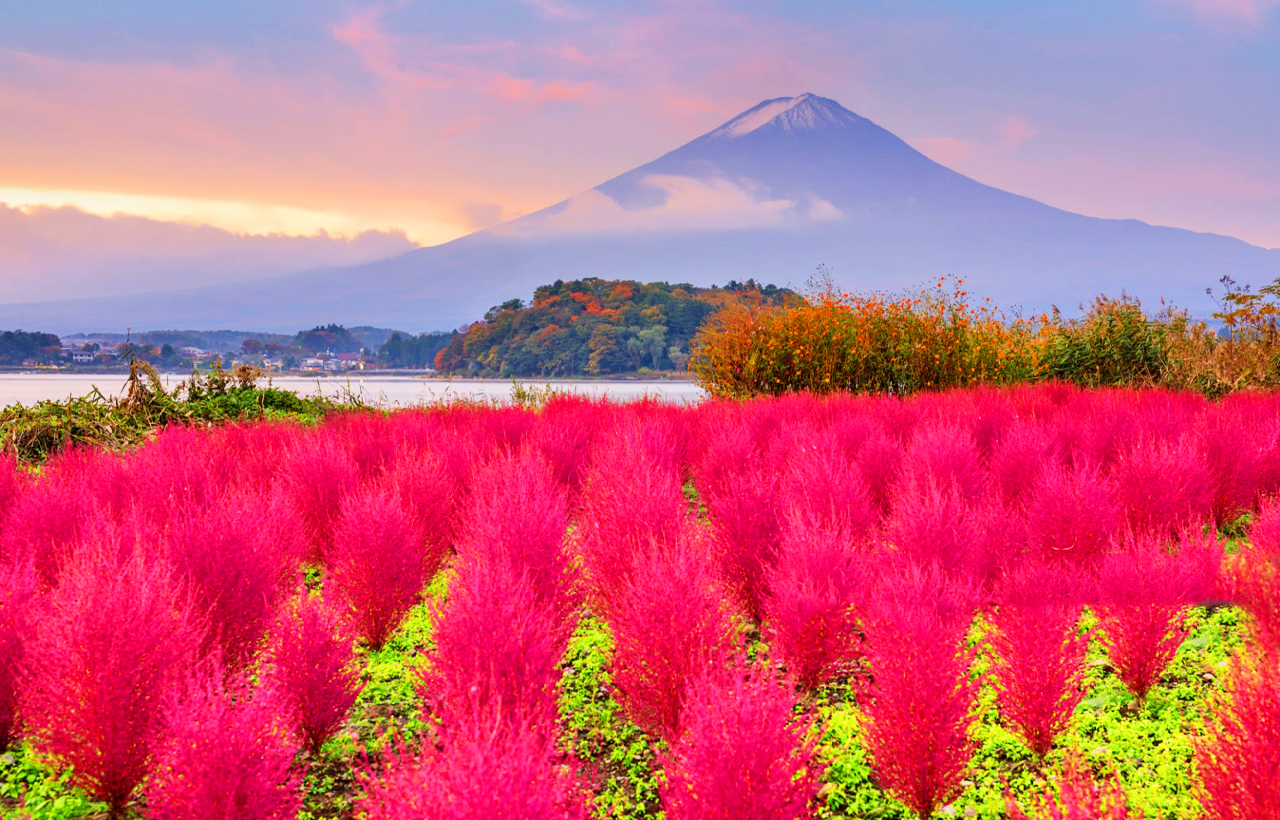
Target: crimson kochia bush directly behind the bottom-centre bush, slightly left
[[670, 626]]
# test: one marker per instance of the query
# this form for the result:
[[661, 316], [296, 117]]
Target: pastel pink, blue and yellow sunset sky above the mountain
[[349, 130]]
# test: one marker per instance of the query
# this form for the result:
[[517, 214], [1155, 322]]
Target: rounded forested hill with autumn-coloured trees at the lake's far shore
[[593, 328]]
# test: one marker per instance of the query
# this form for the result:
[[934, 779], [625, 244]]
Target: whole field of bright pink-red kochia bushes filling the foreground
[[157, 636]]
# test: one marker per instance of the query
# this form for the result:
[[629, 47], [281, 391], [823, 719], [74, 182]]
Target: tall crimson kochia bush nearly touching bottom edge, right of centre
[[920, 704]]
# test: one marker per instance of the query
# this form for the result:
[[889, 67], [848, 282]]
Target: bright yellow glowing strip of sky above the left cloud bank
[[236, 217]]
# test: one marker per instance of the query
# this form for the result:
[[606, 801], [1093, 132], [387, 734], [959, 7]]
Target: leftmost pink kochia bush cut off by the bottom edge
[[226, 755]]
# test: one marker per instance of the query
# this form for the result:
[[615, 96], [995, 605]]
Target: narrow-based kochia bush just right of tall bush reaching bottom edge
[[1040, 654]]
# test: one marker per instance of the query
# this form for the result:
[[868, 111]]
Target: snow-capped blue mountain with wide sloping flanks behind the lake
[[784, 187]]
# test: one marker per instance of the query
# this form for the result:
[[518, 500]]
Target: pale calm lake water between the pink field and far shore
[[392, 391]]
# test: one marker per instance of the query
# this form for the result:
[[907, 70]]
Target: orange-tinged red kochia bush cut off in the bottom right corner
[[1237, 759]]
